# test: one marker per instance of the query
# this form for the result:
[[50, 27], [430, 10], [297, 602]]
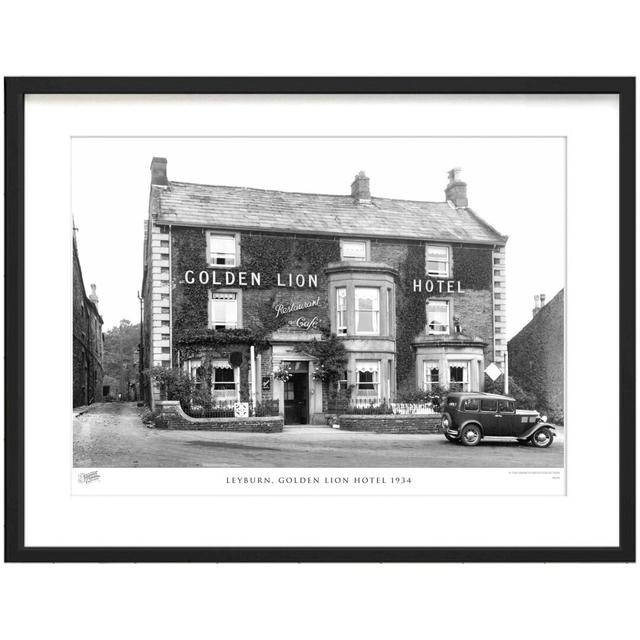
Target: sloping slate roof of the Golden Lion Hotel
[[243, 208]]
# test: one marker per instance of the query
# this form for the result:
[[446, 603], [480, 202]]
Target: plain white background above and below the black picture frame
[[320, 601]]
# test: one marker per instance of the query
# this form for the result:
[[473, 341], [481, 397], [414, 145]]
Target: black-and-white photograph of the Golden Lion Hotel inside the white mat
[[318, 302]]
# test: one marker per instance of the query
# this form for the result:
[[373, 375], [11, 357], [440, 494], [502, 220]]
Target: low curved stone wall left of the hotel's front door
[[171, 416]]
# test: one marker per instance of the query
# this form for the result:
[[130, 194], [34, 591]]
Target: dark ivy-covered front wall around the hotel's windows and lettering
[[269, 255]]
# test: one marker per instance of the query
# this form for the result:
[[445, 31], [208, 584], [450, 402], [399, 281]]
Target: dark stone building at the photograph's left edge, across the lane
[[87, 340]]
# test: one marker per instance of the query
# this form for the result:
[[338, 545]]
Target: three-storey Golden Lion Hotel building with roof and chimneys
[[235, 279]]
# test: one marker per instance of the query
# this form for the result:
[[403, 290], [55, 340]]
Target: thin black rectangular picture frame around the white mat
[[15, 91]]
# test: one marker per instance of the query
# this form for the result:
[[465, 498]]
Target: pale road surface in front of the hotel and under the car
[[114, 435]]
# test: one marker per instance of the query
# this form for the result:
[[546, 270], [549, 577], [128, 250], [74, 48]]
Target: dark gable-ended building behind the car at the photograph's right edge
[[536, 356]]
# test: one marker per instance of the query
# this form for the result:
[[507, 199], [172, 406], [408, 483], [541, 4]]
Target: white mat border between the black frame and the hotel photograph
[[53, 517]]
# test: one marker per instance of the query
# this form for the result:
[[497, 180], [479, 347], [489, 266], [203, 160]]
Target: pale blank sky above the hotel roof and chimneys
[[516, 184]]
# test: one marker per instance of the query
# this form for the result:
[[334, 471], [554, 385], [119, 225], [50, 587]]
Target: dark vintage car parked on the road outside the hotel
[[469, 417]]
